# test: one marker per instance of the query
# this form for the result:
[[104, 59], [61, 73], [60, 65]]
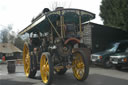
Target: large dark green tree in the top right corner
[[115, 13]]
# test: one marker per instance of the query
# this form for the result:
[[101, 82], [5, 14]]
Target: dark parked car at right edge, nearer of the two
[[120, 60]]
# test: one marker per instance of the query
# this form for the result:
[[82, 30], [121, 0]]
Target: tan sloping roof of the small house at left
[[8, 48]]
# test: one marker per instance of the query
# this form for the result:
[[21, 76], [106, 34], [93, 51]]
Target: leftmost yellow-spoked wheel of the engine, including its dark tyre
[[27, 60]]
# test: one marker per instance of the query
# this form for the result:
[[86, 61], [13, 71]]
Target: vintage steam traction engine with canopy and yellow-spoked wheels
[[56, 44]]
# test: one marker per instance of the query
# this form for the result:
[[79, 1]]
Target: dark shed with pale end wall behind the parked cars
[[98, 37]]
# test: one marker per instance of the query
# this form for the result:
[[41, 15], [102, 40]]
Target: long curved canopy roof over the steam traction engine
[[70, 16]]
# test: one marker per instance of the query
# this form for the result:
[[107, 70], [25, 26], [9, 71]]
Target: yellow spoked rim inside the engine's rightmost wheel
[[78, 66]]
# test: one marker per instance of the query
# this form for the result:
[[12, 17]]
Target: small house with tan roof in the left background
[[9, 51]]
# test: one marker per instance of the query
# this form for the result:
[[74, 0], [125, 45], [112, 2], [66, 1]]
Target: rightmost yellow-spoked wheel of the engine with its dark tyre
[[80, 65]]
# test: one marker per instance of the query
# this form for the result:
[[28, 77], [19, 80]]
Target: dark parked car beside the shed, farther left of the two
[[104, 56]]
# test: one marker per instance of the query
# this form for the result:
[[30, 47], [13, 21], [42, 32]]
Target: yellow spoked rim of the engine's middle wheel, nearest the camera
[[44, 69]]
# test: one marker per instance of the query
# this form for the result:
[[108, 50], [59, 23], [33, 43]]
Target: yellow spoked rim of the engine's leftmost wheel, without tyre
[[26, 60]]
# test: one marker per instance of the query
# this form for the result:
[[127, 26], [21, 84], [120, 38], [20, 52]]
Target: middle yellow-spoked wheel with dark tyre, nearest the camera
[[46, 68]]
